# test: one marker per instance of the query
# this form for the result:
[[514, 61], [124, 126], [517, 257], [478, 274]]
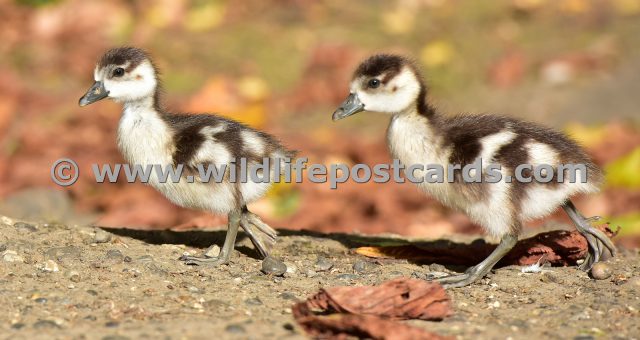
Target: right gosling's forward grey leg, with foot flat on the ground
[[480, 270]]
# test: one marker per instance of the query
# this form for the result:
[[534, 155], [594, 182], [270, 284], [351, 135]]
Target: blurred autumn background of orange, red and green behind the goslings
[[283, 66]]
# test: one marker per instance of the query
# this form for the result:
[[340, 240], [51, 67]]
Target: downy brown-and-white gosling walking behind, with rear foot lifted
[[417, 134]]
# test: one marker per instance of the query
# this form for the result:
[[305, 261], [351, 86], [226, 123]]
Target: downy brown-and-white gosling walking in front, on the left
[[150, 135]]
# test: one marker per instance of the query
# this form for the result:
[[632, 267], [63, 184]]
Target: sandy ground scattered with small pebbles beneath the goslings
[[73, 282]]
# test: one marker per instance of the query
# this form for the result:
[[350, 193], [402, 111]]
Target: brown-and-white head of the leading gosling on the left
[[124, 74]]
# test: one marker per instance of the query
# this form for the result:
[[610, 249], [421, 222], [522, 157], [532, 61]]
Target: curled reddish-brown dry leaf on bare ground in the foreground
[[368, 311]]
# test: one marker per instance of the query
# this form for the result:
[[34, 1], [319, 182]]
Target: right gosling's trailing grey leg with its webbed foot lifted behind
[[599, 244]]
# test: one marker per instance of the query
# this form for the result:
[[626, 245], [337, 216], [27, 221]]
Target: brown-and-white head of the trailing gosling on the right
[[384, 83]]
